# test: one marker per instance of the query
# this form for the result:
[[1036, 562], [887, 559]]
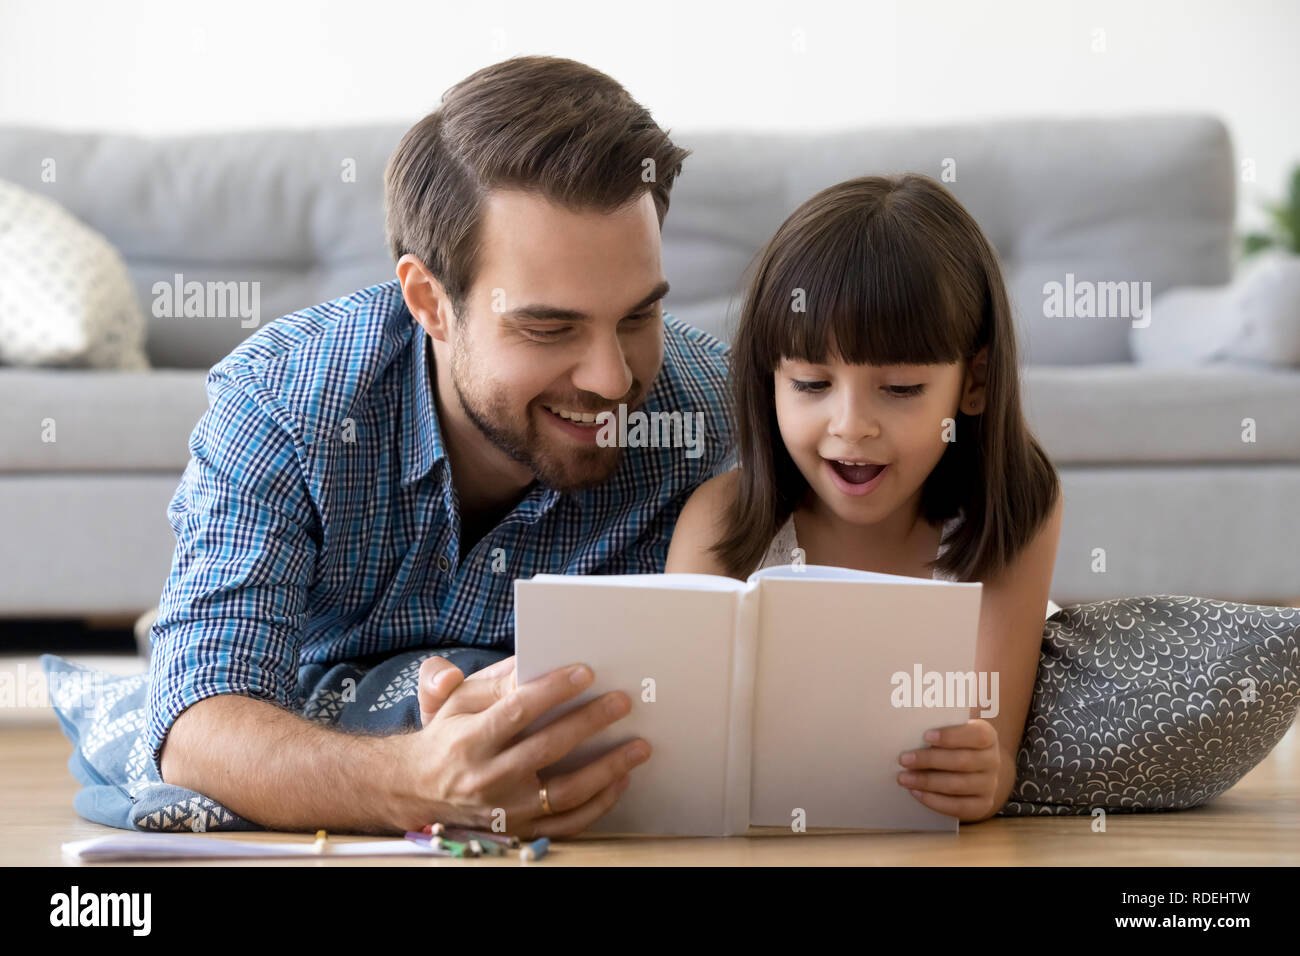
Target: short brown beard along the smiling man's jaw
[[564, 466]]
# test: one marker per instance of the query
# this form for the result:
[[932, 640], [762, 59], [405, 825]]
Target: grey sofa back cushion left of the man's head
[[297, 215]]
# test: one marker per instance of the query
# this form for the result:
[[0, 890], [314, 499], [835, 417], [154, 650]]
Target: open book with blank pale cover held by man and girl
[[779, 702]]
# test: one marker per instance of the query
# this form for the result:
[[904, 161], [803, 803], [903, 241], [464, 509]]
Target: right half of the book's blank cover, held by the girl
[[827, 734]]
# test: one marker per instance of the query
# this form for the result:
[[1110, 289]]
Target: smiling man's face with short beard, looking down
[[565, 315]]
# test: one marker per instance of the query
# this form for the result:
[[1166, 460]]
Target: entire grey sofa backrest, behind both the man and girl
[[301, 213]]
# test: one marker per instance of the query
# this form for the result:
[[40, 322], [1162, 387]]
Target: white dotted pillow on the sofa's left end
[[66, 296]]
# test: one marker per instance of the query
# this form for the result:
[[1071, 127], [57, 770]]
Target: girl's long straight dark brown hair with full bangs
[[891, 271]]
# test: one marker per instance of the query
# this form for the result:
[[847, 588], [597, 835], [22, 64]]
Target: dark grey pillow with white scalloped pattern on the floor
[[1155, 704]]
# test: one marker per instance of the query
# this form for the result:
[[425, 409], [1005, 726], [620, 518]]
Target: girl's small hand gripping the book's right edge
[[959, 773]]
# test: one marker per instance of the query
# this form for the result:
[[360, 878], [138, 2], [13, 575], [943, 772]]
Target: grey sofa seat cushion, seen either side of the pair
[[1082, 416]]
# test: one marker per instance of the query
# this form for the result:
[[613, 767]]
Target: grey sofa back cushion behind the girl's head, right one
[[1117, 200]]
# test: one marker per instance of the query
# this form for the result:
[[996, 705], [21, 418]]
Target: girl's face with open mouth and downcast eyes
[[896, 417]]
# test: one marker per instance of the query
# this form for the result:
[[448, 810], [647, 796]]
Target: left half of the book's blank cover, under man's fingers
[[671, 651]]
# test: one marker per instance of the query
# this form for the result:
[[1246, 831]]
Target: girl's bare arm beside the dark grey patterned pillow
[[1011, 638]]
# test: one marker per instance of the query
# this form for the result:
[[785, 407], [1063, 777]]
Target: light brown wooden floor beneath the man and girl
[[1256, 824]]
